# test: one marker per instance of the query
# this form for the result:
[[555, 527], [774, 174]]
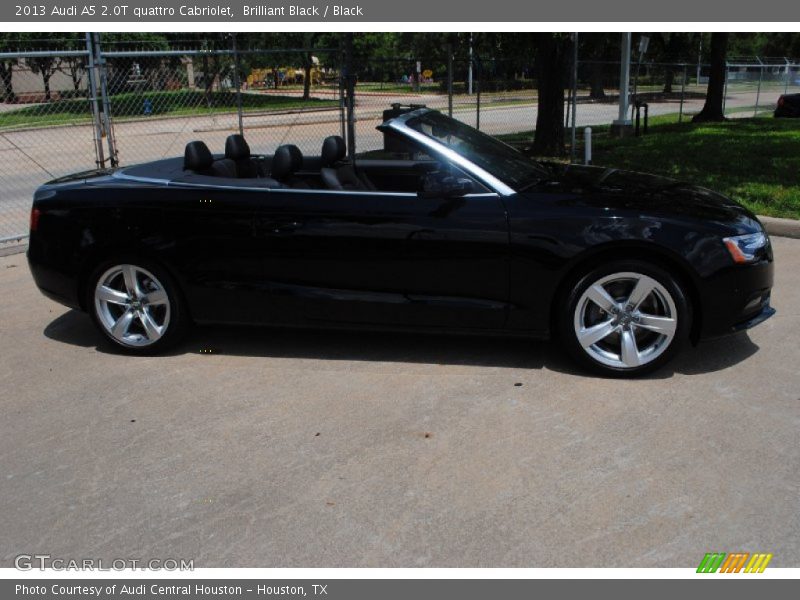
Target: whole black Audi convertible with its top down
[[449, 230]]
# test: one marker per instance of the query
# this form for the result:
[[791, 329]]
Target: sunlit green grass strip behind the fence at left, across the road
[[166, 103]]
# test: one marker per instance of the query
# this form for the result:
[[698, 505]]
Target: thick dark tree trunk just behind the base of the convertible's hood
[[552, 62]]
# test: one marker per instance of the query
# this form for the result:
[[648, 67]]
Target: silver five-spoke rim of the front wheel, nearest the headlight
[[625, 320]]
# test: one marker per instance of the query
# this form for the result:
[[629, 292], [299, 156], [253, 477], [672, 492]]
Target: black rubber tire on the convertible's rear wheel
[[151, 277]]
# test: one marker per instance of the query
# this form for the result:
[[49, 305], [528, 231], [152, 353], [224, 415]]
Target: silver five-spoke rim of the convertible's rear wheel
[[132, 306]]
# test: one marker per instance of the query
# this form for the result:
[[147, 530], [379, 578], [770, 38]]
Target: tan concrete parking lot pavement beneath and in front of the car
[[266, 448]]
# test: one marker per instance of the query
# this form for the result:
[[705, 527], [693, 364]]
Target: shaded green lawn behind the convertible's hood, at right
[[754, 161]]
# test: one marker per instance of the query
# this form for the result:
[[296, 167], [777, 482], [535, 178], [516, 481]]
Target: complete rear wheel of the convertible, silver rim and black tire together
[[136, 305]]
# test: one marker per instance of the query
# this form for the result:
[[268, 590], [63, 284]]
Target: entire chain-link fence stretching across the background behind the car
[[65, 111]]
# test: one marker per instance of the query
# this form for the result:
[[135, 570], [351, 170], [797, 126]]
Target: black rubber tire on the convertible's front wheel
[[667, 297]]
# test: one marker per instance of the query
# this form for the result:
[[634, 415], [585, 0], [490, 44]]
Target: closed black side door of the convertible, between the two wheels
[[385, 258]]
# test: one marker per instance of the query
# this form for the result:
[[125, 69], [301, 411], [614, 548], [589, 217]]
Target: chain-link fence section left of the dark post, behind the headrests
[[69, 111]]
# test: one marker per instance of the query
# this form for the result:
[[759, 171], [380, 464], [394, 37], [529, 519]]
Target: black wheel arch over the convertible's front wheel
[[660, 256]]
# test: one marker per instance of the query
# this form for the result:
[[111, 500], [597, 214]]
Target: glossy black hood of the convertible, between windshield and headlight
[[620, 189]]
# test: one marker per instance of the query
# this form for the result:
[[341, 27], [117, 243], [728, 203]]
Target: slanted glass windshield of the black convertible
[[504, 162]]
